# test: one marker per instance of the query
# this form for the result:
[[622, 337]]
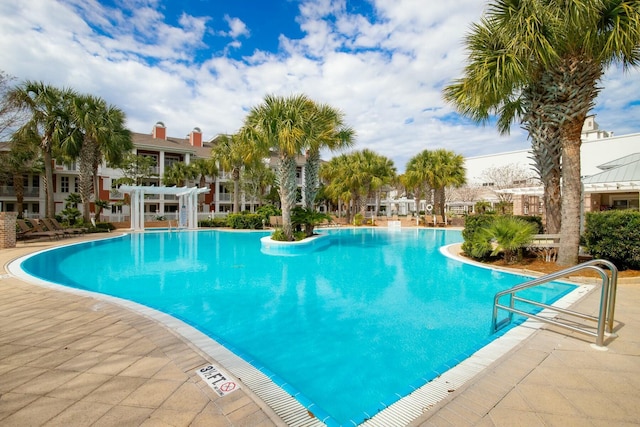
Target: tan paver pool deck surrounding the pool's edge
[[75, 360]]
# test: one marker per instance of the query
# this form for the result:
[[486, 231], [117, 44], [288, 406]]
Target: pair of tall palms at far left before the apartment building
[[68, 126]]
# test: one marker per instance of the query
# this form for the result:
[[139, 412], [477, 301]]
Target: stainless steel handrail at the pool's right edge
[[606, 311]]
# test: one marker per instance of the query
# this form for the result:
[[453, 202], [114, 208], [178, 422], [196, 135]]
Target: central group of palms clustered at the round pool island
[[287, 127]]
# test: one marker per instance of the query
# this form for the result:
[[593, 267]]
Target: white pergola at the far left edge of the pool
[[187, 202]]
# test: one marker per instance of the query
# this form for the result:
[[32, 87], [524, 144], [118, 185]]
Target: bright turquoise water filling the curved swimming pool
[[351, 327]]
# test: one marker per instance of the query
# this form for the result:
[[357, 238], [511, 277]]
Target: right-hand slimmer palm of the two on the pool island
[[326, 131]]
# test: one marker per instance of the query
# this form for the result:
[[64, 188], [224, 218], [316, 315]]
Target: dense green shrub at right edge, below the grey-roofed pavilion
[[614, 236]]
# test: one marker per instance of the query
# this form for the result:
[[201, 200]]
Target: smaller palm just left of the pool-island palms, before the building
[[233, 153]]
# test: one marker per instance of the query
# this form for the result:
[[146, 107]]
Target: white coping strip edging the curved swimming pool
[[287, 407]]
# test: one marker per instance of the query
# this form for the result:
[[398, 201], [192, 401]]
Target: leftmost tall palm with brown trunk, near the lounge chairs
[[48, 111]]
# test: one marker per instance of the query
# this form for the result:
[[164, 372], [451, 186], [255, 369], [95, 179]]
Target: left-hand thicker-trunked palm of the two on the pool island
[[281, 125]]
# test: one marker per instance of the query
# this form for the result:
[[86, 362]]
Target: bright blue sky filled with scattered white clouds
[[205, 63]]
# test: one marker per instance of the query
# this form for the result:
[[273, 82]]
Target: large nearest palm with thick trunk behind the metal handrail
[[559, 51]]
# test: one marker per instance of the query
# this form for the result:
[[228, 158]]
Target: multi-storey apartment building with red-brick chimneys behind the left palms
[[165, 150]]
